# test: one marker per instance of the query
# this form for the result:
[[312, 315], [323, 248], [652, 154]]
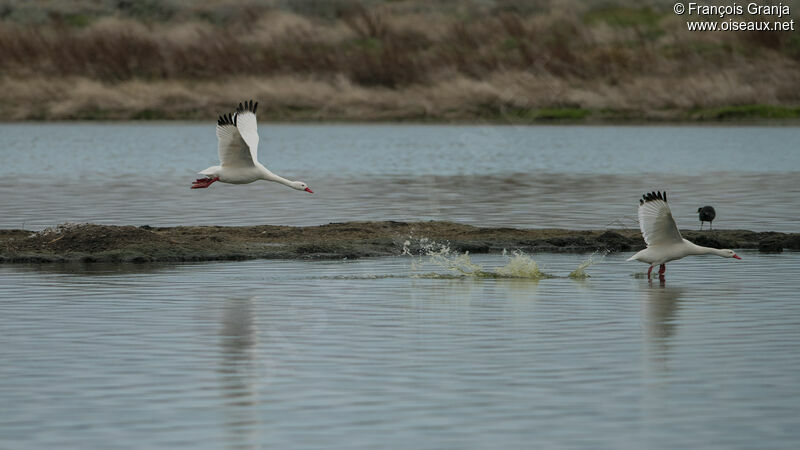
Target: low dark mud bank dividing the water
[[102, 243]]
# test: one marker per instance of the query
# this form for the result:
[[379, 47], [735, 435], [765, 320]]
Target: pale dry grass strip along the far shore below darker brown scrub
[[502, 96]]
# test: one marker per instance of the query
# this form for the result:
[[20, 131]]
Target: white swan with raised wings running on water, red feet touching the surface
[[664, 241]]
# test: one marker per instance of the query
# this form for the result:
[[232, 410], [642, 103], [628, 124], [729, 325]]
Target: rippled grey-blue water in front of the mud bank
[[360, 354]]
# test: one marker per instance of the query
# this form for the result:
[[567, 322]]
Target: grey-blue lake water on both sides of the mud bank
[[372, 353]]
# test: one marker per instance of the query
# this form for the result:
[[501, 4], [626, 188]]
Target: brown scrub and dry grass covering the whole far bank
[[512, 60]]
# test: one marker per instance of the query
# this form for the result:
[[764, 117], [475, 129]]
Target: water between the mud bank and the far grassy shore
[[556, 176]]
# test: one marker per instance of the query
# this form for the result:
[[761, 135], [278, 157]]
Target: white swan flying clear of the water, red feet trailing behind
[[238, 153]]
